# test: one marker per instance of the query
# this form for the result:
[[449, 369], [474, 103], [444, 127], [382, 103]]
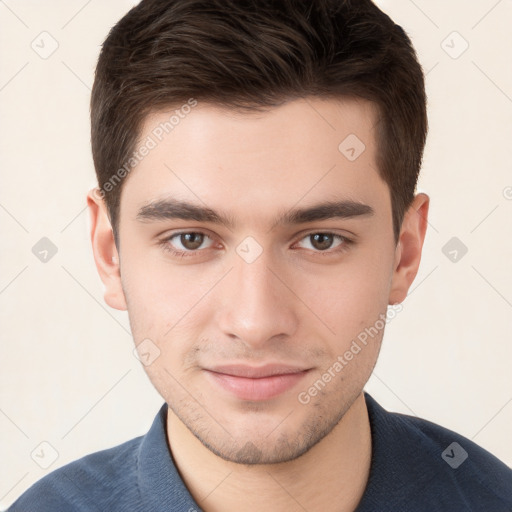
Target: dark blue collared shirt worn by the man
[[416, 466]]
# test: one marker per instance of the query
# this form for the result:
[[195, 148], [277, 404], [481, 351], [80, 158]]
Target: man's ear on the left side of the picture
[[105, 251]]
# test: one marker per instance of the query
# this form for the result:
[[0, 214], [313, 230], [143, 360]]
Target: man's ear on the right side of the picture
[[408, 249]]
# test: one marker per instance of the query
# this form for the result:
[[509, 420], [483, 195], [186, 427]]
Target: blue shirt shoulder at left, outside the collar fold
[[107, 477]]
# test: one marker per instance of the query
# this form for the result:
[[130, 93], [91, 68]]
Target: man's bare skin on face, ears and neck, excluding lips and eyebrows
[[295, 304]]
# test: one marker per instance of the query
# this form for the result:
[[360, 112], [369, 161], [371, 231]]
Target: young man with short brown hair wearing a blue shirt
[[256, 215]]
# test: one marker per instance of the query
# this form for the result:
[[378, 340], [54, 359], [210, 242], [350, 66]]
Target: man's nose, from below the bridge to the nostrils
[[256, 305]]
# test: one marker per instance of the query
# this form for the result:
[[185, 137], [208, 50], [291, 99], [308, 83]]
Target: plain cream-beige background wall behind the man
[[68, 376]]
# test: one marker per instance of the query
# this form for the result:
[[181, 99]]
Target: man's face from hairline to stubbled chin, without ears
[[254, 250]]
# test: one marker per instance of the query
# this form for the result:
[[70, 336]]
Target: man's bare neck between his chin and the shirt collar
[[331, 476]]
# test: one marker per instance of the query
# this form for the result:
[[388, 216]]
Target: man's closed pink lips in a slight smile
[[256, 383]]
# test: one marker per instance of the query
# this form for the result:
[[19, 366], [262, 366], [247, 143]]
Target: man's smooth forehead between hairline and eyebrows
[[257, 163]]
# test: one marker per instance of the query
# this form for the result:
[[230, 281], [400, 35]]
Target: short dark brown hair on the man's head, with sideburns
[[251, 54]]
